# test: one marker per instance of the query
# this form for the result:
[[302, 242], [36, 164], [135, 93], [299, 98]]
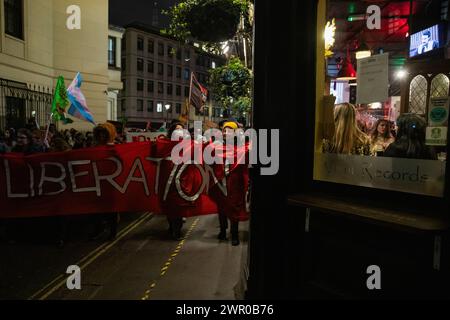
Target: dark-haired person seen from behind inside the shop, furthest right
[[410, 141]]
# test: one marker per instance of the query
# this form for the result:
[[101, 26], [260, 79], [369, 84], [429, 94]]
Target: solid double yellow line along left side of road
[[50, 288]]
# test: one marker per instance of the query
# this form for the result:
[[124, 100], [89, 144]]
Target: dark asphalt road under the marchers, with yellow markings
[[143, 263]]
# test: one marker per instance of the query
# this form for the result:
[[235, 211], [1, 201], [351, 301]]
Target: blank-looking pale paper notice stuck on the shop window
[[373, 79]]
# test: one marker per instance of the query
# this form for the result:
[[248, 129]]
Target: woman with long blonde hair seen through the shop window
[[348, 137]]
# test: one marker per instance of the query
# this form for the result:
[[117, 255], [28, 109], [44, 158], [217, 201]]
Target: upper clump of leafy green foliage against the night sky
[[206, 20]]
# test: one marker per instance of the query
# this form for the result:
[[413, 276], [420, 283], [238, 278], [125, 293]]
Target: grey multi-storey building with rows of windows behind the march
[[156, 72]]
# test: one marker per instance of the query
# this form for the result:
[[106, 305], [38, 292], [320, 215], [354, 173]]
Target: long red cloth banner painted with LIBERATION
[[123, 178]]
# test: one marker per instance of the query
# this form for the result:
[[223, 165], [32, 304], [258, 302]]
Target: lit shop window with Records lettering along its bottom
[[366, 135]]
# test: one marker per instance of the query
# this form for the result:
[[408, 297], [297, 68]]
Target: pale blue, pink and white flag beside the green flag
[[78, 106]]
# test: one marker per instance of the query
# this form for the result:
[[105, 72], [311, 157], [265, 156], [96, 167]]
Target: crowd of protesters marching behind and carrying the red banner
[[32, 140]]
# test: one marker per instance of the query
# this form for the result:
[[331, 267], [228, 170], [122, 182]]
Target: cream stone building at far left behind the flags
[[38, 44]]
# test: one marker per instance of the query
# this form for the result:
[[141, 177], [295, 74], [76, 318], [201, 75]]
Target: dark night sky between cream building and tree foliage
[[122, 12]]
